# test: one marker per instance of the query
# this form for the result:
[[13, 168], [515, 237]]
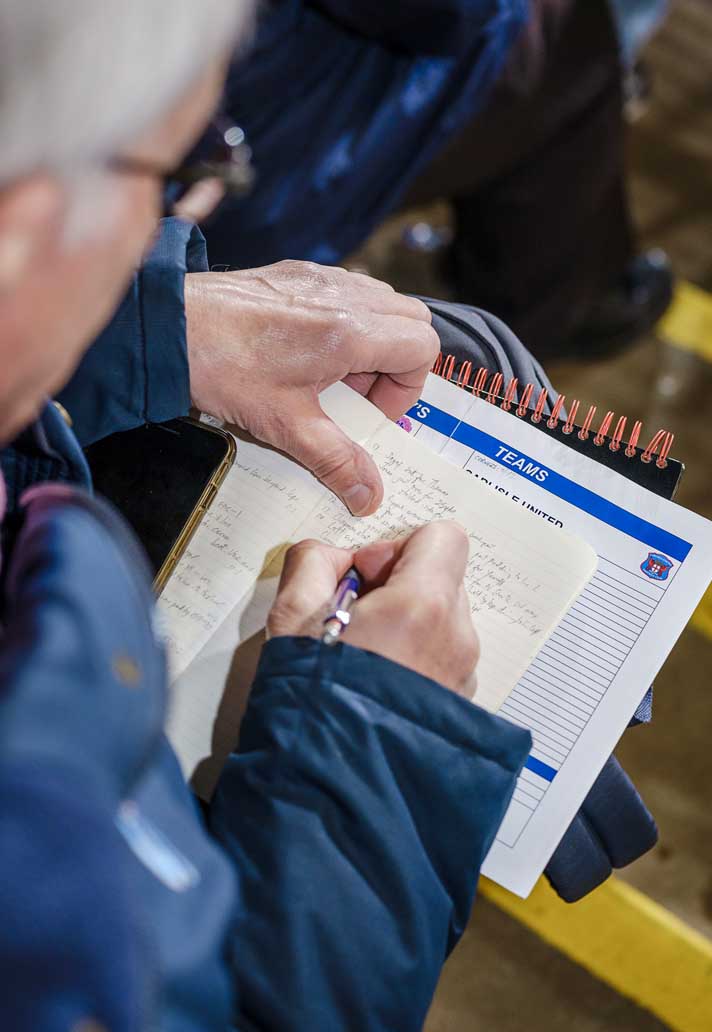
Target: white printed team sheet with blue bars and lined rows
[[580, 692]]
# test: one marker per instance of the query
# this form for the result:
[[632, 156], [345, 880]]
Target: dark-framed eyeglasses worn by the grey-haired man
[[222, 154]]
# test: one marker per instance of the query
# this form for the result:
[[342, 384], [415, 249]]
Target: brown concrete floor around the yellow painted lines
[[502, 978]]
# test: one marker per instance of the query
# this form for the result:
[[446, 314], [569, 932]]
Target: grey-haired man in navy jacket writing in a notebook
[[351, 822]]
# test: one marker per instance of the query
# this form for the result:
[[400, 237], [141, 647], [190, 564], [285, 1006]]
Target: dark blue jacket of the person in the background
[[344, 104]]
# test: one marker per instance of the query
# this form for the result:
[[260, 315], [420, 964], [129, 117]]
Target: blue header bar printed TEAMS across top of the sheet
[[563, 488]]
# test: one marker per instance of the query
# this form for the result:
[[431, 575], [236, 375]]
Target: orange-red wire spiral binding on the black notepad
[[489, 385]]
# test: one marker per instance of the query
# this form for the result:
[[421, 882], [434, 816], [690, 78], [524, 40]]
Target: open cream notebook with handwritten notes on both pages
[[523, 576]]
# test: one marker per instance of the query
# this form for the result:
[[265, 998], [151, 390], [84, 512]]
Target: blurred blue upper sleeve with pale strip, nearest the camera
[[115, 905]]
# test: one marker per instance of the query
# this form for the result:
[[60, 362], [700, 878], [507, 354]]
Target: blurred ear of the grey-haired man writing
[[31, 214]]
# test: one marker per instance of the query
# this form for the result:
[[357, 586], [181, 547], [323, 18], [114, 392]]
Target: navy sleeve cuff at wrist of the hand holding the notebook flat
[[137, 372]]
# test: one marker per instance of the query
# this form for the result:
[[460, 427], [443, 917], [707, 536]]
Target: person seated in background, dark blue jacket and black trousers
[[511, 109]]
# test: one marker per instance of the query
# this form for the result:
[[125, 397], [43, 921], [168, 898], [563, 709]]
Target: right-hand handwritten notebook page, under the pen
[[523, 575]]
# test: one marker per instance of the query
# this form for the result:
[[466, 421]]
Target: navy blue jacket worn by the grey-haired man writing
[[348, 827]]
